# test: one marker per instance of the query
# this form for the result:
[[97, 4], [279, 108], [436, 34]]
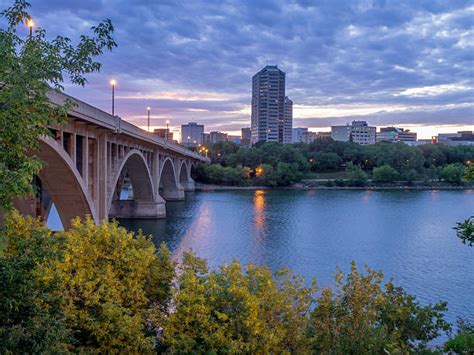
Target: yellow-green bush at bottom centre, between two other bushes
[[237, 310]]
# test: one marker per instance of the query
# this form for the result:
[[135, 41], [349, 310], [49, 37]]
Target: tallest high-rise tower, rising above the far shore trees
[[268, 107]]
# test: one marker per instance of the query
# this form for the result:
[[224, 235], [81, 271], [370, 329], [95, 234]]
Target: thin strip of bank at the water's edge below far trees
[[299, 186]]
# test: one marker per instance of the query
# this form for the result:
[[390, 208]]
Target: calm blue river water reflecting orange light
[[407, 234]]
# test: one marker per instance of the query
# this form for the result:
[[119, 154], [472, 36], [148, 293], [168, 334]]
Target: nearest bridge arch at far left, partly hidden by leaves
[[63, 183]]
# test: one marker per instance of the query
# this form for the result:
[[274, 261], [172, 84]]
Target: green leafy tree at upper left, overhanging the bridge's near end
[[29, 69]]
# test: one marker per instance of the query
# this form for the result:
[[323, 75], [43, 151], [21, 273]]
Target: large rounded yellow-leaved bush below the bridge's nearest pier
[[109, 281]]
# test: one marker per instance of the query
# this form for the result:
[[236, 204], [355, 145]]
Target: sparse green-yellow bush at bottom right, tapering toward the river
[[363, 317]]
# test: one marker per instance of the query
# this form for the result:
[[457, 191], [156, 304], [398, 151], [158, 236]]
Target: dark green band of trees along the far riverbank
[[331, 163]]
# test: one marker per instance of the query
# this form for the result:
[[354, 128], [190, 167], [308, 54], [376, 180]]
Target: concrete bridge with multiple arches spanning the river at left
[[95, 159]]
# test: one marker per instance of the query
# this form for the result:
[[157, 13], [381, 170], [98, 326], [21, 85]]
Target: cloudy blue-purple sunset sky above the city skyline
[[403, 63]]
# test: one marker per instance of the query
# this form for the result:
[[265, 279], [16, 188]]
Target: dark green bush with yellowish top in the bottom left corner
[[31, 320]]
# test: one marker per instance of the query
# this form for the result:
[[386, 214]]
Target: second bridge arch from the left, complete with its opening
[[144, 202]]
